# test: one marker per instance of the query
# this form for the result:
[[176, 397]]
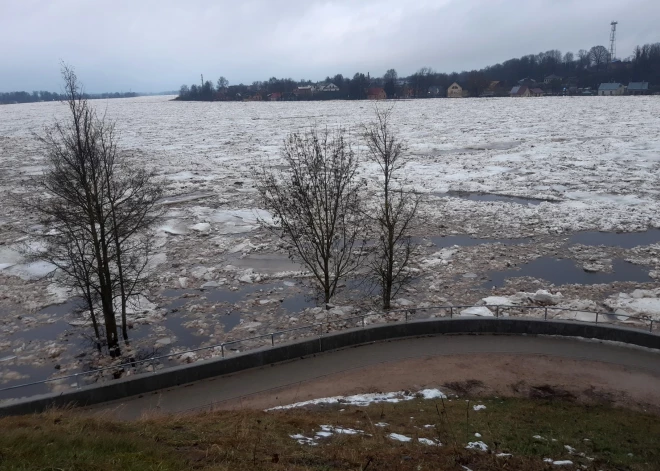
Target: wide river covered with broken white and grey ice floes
[[525, 174]]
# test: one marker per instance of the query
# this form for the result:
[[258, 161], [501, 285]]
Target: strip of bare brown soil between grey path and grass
[[479, 375]]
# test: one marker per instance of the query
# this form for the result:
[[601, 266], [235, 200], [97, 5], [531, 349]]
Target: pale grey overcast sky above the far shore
[[157, 45]]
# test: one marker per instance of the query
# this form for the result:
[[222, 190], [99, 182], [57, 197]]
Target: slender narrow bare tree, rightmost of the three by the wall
[[396, 209]]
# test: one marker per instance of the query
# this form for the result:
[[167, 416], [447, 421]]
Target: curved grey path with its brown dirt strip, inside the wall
[[475, 365]]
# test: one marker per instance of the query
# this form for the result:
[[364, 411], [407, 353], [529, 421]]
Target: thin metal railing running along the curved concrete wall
[[319, 328]]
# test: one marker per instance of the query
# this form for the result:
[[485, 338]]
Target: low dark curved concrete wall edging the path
[[175, 376]]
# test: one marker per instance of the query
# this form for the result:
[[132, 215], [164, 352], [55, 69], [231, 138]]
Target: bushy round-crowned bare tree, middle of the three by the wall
[[315, 202]]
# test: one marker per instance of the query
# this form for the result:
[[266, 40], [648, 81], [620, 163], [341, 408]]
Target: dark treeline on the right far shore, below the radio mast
[[586, 68]]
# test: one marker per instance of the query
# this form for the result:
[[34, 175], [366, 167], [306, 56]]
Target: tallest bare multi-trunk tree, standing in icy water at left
[[99, 209]]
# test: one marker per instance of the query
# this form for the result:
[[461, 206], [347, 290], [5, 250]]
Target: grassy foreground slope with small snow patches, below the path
[[615, 439]]
